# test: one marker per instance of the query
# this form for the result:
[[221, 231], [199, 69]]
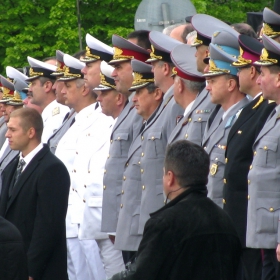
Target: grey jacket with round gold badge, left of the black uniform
[[214, 143]]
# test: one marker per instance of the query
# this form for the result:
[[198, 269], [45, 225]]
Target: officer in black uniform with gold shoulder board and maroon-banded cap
[[239, 153]]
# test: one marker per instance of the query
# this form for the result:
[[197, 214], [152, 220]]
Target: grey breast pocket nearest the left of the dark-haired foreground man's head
[[154, 145]]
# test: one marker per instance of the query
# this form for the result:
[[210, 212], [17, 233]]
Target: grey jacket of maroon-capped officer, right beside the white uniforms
[[124, 131]]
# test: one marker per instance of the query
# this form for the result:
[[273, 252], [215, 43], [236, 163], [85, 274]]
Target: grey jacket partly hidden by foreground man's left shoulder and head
[[154, 141]]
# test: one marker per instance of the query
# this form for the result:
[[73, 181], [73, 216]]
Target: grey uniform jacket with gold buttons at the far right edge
[[263, 227]]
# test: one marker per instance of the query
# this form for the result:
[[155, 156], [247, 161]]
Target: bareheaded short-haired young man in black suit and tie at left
[[35, 197]]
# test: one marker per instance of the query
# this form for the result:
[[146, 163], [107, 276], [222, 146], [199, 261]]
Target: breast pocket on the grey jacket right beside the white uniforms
[[121, 144]]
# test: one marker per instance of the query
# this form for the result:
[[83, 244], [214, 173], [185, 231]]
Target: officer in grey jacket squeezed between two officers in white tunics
[[57, 87]]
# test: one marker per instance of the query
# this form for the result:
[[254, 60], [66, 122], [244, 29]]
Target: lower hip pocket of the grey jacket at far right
[[267, 212]]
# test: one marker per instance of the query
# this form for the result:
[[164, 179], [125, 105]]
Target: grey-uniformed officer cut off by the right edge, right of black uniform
[[263, 188]]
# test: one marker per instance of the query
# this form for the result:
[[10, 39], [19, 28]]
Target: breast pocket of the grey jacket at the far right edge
[[267, 152]]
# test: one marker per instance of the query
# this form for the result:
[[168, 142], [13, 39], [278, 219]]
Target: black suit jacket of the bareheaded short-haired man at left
[[37, 207]]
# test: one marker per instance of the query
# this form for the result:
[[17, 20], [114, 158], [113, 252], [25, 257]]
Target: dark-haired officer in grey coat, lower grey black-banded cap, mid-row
[[147, 100]]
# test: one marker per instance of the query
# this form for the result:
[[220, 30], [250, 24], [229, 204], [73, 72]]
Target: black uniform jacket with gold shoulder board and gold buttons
[[239, 156]]
